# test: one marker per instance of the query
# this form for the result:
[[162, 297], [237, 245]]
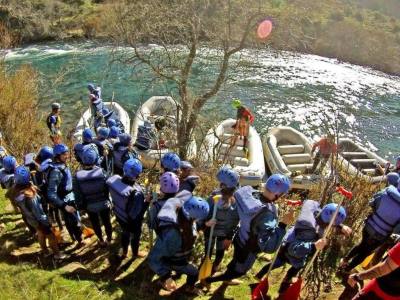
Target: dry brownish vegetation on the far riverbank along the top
[[365, 32]]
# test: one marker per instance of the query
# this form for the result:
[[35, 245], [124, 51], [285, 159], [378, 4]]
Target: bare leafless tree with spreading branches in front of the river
[[186, 32]]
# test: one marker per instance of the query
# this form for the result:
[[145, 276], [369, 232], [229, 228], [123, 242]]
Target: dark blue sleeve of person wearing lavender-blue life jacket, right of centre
[[270, 233]]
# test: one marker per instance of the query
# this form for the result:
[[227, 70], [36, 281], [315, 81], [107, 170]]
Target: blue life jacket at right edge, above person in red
[[386, 215]]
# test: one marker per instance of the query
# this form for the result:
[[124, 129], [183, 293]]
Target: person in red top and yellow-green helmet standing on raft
[[243, 120]]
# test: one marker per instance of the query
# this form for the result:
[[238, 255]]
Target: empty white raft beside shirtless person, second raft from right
[[288, 151]]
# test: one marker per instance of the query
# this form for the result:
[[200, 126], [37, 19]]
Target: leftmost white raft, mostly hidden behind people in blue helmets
[[86, 119]]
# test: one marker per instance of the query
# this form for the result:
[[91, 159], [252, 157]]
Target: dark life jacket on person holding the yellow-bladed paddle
[[227, 217]]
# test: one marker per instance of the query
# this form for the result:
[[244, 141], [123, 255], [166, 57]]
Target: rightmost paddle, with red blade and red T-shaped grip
[[293, 291]]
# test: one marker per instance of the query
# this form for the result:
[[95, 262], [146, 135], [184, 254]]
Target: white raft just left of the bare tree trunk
[[154, 108]]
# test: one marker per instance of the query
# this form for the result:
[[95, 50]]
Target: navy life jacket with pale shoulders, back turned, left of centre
[[92, 184]]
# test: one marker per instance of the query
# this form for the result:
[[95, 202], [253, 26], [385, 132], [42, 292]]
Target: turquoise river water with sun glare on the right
[[304, 91]]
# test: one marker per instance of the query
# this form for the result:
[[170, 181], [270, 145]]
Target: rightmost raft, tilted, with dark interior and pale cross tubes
[[356, 160]]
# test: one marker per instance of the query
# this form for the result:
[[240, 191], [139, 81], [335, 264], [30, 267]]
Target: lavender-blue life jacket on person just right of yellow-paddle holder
[[248, 206]]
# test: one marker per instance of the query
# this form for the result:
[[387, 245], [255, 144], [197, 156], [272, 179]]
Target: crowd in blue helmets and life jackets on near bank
[[107, 183]]
